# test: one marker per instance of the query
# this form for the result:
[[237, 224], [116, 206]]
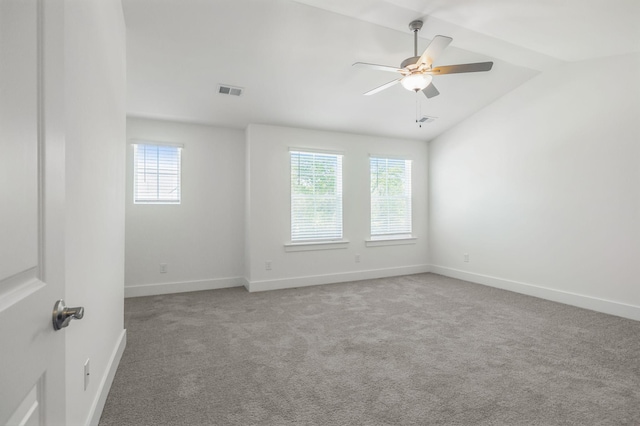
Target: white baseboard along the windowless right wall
[[573, 299]]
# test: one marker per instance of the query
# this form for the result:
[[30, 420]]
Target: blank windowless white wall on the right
[[542, 189]]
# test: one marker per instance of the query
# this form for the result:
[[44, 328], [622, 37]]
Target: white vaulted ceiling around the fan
[[294, 57]]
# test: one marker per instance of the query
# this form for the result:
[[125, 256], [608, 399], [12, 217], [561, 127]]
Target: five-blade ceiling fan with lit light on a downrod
[[418, 71]]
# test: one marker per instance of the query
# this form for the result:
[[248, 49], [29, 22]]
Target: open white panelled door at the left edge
[[32, 354]]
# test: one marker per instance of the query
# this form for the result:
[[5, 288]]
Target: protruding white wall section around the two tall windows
[[268, 210]]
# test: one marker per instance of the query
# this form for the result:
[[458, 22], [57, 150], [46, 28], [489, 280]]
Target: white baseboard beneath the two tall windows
[[306, 281]]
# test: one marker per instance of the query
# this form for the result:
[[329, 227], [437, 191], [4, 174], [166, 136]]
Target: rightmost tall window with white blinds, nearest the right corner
[[390, 198]]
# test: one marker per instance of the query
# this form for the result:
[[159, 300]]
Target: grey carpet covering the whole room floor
[[414, 350]]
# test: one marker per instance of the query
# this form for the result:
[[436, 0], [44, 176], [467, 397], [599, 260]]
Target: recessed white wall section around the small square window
[[202, 239]]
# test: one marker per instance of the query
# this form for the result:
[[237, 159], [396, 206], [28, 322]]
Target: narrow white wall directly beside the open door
[[95, 95]]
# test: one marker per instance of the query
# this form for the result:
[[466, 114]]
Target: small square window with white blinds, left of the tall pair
[[156, 174]]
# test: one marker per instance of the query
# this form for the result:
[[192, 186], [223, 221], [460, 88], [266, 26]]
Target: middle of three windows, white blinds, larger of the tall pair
[[316, 196]]
